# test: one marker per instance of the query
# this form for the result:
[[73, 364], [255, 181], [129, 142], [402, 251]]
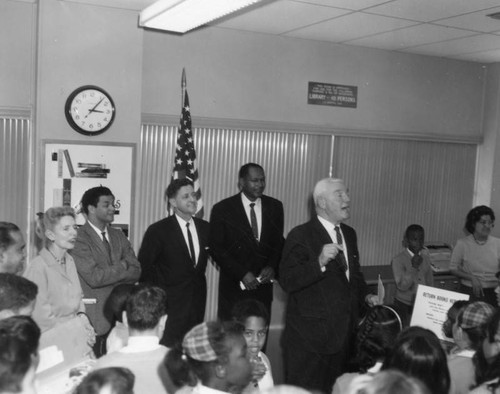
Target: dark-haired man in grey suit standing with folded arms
[[104, 258]]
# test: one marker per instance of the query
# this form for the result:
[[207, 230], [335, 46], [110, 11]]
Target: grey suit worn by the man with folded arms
[[99, 273]]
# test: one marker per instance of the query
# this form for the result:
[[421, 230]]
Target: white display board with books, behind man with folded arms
[[71, 168]]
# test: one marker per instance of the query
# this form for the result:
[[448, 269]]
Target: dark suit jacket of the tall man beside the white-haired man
[[235, 249]]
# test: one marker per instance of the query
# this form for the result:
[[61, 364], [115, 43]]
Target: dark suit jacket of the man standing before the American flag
[[166, 262]]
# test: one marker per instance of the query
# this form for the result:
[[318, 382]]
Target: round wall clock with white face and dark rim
[[90, 110]]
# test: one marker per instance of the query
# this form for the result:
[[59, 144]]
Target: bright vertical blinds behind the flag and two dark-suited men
[[292, 162]]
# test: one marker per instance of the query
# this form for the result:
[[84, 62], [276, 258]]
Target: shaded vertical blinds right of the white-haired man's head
[[395, 183]]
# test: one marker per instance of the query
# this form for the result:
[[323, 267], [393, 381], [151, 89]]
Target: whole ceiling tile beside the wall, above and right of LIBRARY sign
[[410, 36]]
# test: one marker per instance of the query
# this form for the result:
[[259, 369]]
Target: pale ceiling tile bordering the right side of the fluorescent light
[[282, 16]]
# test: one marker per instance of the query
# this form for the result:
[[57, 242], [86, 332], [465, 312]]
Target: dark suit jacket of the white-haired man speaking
[[323, 307]]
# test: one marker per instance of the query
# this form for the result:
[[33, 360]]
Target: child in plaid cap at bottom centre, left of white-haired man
[[212, 357]]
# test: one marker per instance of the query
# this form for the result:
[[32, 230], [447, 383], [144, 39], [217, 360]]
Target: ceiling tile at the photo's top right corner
[[430, 10]]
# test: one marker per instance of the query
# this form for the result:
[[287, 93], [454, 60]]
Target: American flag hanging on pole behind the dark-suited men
[[185, 155]]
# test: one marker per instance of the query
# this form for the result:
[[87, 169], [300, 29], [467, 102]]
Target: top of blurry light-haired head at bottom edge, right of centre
[[387, 382]]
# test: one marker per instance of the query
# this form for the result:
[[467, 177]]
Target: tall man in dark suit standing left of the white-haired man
[[246, 239]]
